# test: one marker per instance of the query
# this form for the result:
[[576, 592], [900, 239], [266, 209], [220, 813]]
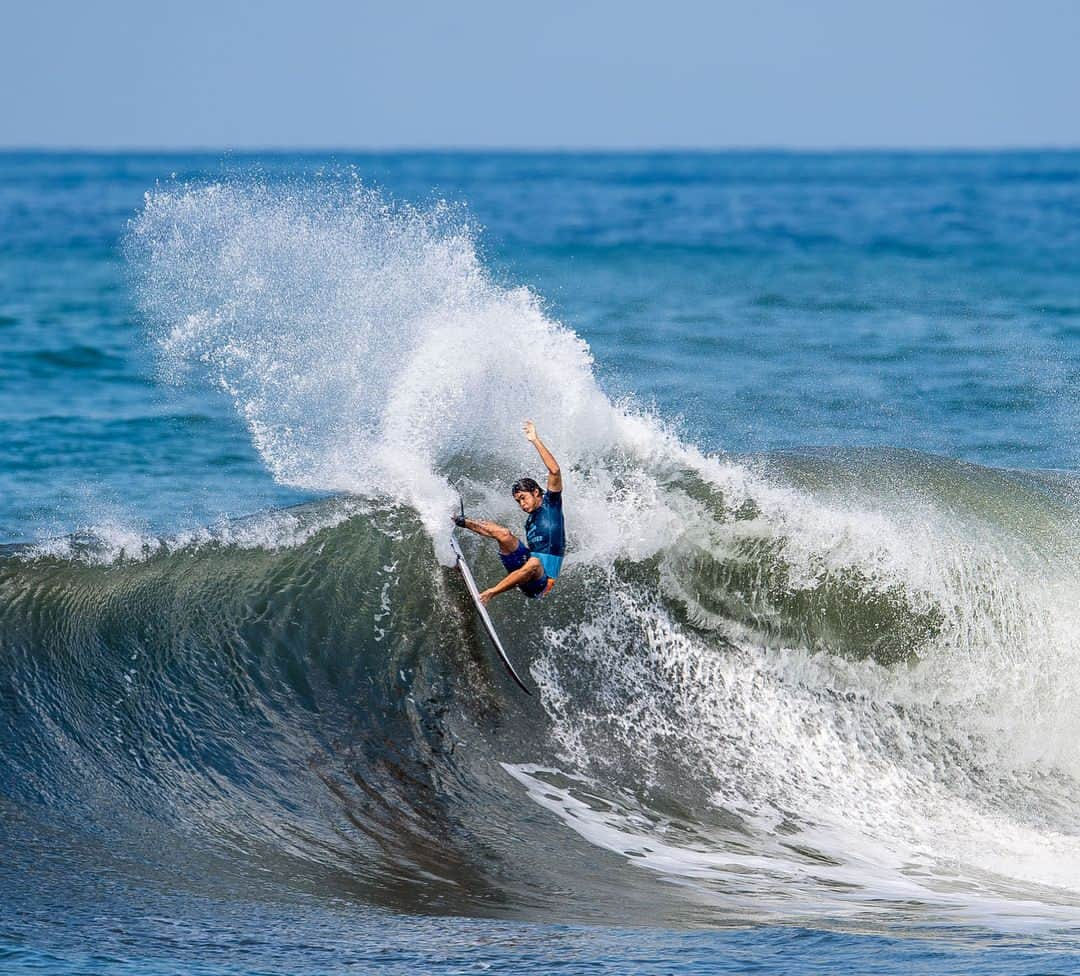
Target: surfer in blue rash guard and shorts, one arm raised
[[533, 570]]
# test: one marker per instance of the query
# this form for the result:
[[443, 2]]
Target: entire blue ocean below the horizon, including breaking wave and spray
[[807, 695]]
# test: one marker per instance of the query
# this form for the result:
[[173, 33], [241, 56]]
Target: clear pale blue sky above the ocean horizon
[[330, 74]]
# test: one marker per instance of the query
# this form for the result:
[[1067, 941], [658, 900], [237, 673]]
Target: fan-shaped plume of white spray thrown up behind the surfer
[[362, 342]]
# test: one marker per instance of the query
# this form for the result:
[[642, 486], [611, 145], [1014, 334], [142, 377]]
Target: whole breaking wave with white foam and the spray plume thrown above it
[[834, 685]]
